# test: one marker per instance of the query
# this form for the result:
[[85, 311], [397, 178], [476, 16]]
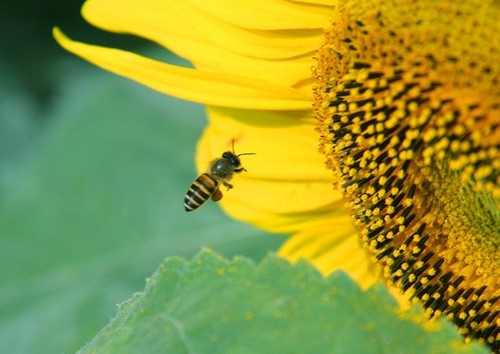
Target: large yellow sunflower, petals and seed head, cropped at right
[[375, 126]]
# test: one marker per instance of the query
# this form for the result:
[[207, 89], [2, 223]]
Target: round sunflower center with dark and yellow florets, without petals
[[409, 121]]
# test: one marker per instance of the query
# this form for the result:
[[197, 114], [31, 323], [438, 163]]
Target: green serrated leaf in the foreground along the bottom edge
[[212, 305]]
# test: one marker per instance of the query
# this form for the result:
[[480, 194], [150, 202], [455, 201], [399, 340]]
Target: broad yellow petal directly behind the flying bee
[[286, 182]]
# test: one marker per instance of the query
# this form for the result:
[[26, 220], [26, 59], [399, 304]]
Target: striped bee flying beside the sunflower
[[207, 185]]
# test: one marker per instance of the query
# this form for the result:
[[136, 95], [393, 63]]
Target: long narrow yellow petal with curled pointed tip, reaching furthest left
[[190, 84]]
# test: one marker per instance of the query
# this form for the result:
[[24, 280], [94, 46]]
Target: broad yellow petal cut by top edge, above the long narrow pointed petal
[[186, 25]]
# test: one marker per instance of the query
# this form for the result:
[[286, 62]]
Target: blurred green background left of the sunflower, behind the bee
[[93, 171]]
